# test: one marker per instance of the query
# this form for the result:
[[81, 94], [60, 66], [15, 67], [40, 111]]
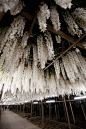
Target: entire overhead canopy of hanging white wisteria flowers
[[24, 55]]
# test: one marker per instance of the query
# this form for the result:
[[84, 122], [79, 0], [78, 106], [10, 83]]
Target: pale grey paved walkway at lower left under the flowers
[[10, 120]]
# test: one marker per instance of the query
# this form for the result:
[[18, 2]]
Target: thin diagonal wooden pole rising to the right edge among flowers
[[66, 50]]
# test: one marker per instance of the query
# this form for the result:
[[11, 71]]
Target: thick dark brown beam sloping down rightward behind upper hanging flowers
[[50, 28]]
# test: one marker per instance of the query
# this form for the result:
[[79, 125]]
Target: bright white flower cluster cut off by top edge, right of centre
[[64, 3]]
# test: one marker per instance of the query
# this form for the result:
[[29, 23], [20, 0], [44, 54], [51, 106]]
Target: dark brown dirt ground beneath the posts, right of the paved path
[[53, 124]]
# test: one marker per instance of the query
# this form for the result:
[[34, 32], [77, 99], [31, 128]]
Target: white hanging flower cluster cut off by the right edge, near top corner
[[79, 16]]
